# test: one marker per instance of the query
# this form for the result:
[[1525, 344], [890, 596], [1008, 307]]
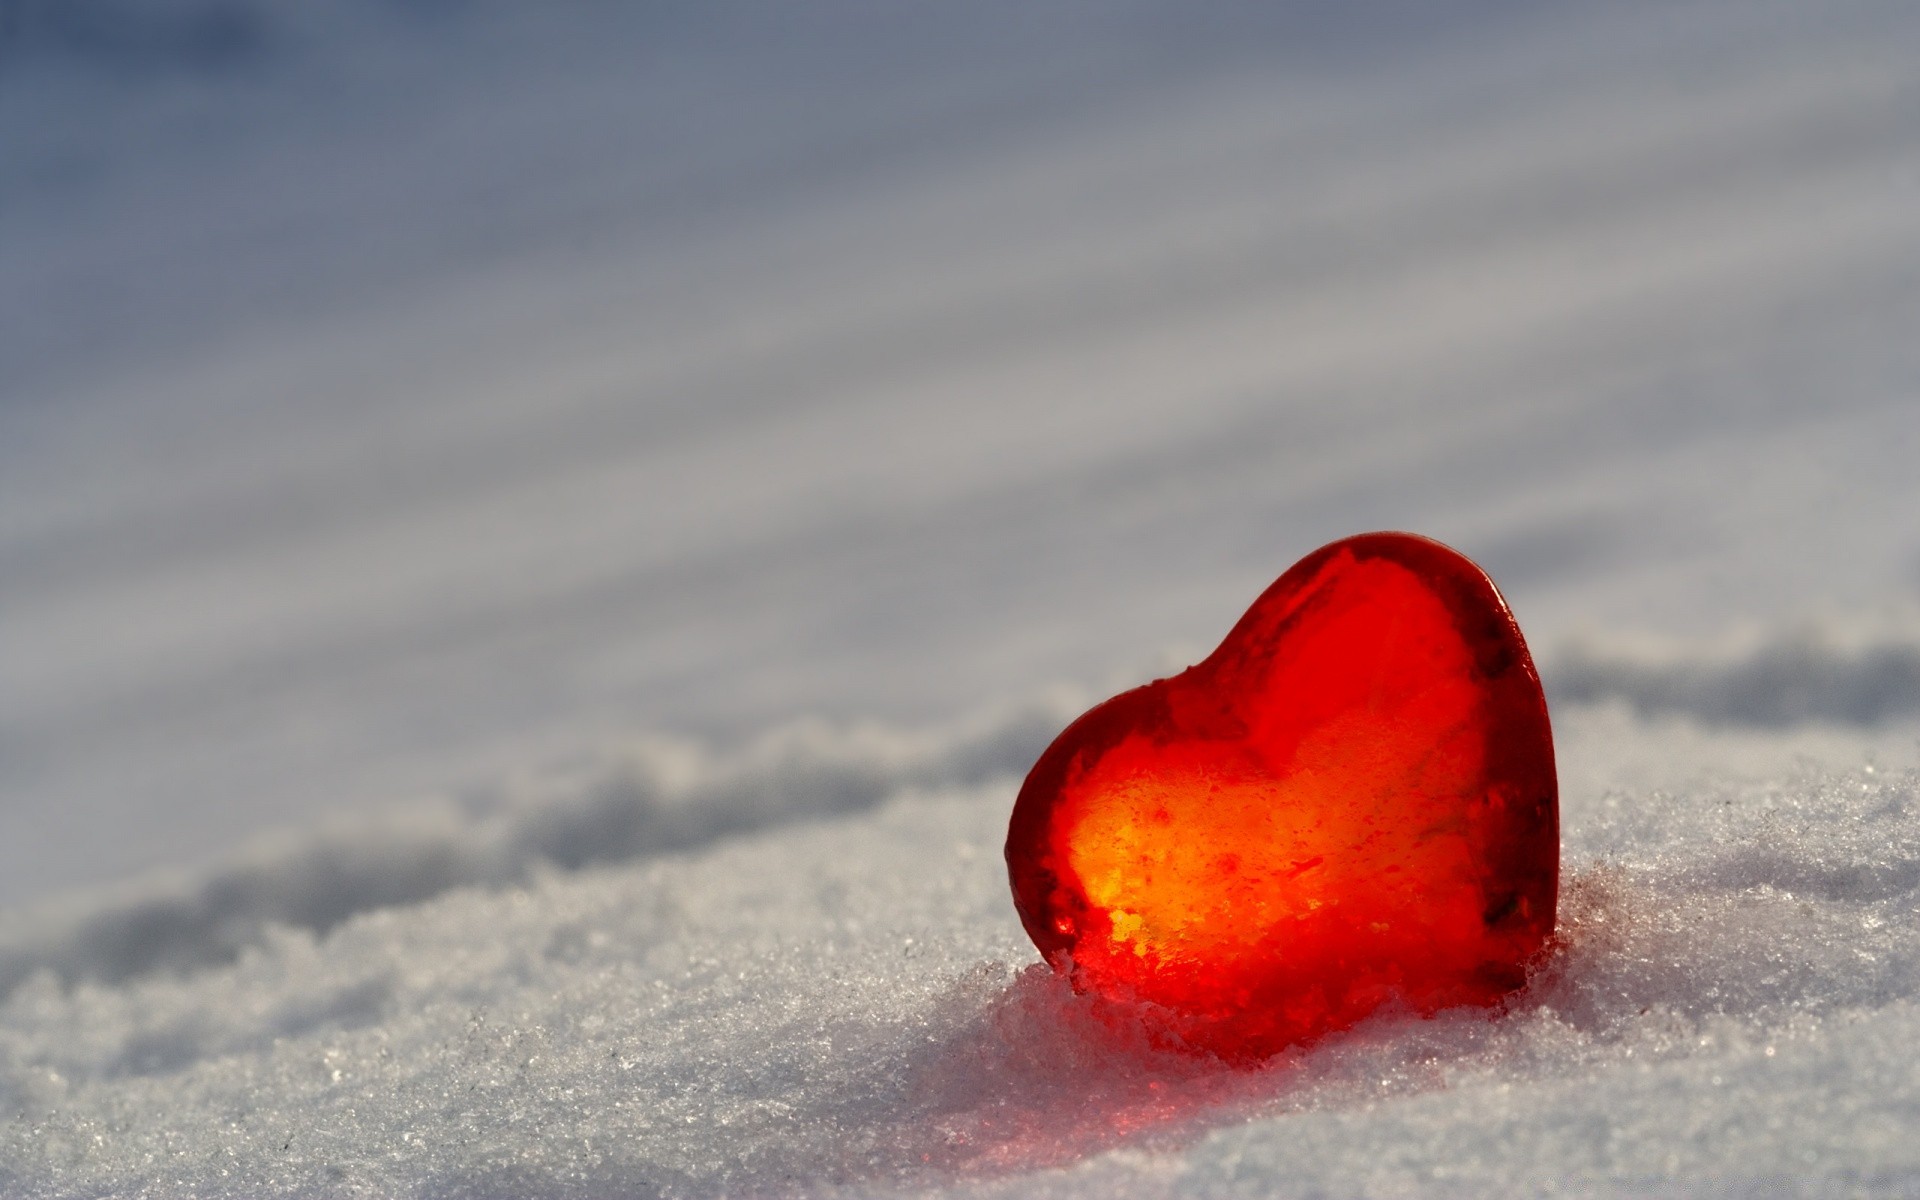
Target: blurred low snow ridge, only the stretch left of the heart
[[640, 802]]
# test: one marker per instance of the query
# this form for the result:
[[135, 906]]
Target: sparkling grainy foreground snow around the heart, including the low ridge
[[767, 1005]]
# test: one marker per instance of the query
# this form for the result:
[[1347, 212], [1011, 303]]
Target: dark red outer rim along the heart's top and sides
[[1458, 581]]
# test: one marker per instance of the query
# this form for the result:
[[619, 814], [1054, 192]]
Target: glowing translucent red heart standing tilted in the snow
[[1349, 804]]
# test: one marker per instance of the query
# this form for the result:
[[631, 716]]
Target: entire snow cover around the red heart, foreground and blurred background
[[539, 542]]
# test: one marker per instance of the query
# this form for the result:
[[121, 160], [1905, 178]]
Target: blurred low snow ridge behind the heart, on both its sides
[[660, 796]]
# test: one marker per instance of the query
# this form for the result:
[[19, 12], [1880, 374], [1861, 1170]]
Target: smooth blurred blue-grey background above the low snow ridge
[[396, 395]]
